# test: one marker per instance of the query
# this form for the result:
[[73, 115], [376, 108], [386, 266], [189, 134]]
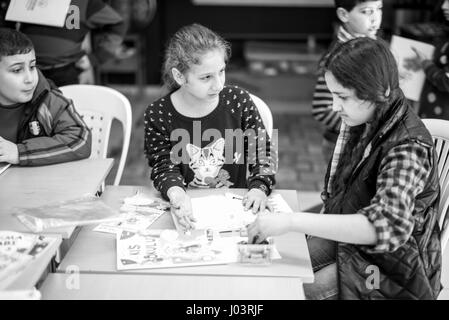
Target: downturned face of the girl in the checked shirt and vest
[[351, 109]]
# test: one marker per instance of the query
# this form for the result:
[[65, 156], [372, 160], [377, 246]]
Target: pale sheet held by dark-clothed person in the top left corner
[[45, 12]]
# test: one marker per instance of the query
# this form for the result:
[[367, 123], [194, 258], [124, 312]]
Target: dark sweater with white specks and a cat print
[[229, 147]]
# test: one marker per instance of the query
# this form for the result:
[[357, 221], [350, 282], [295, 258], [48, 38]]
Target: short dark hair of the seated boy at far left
[[13, 42]]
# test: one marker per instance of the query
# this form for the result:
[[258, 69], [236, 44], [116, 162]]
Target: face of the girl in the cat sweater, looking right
[[205, 80]]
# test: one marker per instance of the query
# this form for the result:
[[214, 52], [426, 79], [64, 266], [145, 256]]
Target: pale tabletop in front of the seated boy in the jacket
[[35, 186]]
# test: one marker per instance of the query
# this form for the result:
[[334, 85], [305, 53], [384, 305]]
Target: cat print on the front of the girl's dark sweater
[[207, 165]]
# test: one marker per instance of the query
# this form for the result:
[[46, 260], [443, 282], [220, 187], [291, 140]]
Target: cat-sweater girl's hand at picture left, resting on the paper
[[181, 206]]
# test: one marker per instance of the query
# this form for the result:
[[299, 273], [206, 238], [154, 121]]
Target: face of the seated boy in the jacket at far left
[[18, 78]]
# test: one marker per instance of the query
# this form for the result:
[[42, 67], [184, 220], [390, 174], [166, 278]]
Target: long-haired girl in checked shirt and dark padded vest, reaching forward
[[378, 237]]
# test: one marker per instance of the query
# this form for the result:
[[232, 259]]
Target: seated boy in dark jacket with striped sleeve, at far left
[[38, 125]]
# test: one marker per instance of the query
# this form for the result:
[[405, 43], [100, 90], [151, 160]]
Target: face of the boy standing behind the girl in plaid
[[364, 19]]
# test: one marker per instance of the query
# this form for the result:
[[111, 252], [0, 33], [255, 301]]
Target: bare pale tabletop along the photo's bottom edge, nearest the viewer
[[61, 286]]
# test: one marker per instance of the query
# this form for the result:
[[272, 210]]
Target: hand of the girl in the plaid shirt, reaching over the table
[[268, 224]]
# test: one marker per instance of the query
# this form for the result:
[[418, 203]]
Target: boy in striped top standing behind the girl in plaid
[[358, 18]]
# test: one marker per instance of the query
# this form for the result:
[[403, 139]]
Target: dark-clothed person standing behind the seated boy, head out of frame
[[60, 51]]
